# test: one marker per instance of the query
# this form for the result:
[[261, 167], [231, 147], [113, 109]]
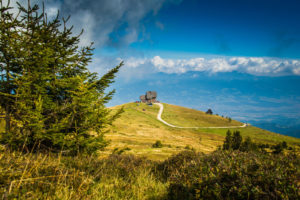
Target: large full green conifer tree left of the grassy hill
[[56, 101]]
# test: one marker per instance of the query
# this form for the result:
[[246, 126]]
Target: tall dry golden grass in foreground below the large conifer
[[56, 176]]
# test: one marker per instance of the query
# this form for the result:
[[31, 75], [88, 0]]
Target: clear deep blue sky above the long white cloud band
[[228, 27]]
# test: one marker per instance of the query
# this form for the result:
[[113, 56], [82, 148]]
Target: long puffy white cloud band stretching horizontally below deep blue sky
[[252, 65]]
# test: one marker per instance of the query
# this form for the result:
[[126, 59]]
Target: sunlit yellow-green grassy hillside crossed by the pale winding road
[[138, 129]]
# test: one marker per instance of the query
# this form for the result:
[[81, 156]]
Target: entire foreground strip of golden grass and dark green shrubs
[[187, 175]]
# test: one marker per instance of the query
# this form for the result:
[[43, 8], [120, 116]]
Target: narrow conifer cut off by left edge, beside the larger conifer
[[9, 53]]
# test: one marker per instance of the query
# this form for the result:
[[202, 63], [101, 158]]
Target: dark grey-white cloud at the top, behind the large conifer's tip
[[105, 22]]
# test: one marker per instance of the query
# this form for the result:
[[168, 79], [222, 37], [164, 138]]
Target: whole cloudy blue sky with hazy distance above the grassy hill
[[239, 58]]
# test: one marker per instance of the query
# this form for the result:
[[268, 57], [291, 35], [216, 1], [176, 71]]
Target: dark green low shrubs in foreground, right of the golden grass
[[235, 175]]
